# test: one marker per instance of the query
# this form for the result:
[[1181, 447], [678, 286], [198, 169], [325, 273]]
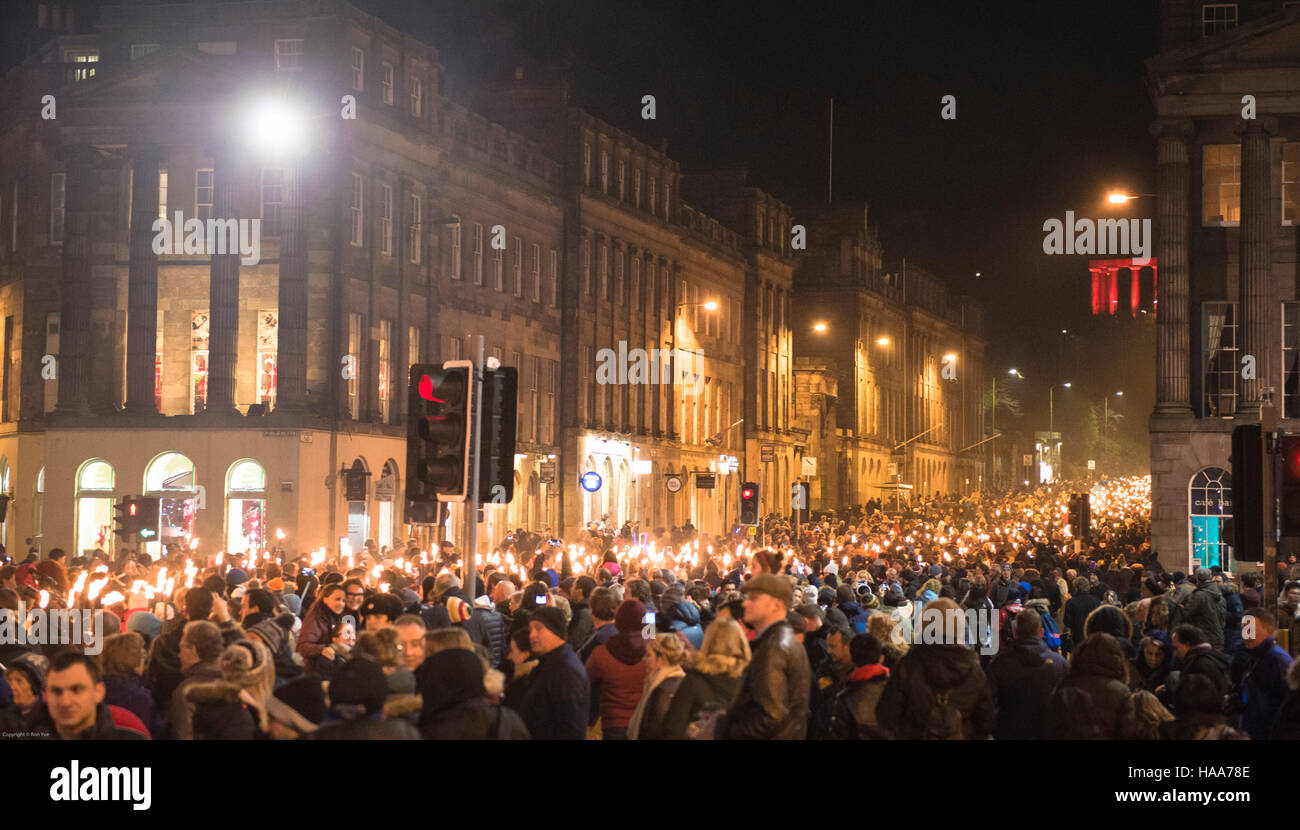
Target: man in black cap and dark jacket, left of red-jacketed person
[[558, 699]]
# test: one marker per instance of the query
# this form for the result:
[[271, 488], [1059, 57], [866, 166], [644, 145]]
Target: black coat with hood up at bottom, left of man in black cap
[[456, 703]]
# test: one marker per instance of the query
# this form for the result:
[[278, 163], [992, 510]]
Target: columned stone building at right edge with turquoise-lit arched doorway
[[1227, 211]]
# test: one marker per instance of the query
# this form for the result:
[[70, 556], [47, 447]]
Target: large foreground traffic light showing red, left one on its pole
[[439, 417]]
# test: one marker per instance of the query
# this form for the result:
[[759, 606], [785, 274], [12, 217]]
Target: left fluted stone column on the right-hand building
[[1172, 222]]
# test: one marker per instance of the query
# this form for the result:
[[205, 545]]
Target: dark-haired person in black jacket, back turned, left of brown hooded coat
[[1022, 680]]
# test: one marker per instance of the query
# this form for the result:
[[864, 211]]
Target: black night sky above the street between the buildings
[[1052, 110]]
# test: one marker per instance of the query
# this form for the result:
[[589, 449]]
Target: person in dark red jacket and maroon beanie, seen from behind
[[618, 671]]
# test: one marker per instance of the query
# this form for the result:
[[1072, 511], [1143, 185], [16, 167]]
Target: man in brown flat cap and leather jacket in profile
[[774, 695]]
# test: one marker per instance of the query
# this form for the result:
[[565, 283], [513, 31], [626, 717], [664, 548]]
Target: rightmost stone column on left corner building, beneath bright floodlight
[[292, 352]]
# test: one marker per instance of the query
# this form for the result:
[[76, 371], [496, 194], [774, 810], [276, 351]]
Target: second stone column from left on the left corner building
[[142, 291]]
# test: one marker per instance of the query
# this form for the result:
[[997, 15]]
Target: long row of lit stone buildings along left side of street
[[239, 392]]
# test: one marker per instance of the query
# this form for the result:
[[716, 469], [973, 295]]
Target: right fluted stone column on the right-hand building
[[1255, 263]]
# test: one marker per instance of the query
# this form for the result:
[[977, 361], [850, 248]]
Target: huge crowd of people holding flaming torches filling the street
[[855, 626]]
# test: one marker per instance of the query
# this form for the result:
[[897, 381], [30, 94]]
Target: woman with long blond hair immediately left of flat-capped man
[[712, 676]]
